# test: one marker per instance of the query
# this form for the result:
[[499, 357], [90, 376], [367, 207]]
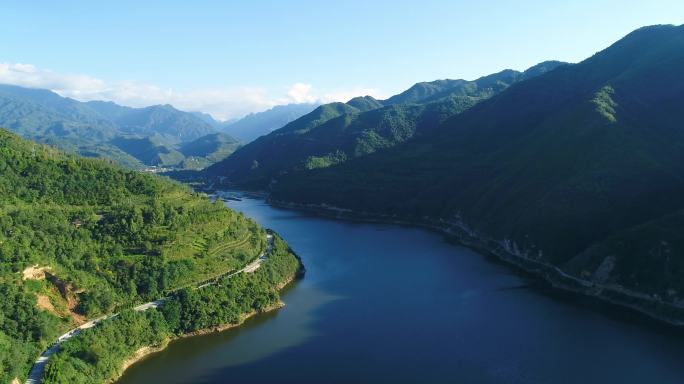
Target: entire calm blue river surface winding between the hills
[[382, 303]]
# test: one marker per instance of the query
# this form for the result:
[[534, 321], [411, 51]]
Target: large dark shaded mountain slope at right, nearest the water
[[581, 167]]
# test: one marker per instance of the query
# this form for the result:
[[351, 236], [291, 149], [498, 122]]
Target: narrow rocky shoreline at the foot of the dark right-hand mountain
[[504, 252]]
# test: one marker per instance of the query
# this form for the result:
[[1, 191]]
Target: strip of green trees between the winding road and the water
[[97, 355]]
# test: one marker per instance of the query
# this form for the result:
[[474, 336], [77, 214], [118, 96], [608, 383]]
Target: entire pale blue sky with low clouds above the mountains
[[233, 57]]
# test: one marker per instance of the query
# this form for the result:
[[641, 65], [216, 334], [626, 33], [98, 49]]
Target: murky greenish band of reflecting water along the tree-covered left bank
[[193, 358]]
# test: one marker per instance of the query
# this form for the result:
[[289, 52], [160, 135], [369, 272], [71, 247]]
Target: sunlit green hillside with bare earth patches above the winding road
[[81, 237]]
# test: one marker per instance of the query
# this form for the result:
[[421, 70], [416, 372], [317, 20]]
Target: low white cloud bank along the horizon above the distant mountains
[[222, 103]]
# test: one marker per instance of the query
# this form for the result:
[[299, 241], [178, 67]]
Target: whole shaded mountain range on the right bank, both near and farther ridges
[[574, 171]]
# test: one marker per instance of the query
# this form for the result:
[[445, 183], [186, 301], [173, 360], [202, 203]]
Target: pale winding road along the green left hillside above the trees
[[36, 374]]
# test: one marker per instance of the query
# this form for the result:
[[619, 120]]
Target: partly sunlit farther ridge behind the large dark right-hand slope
[[337, 132]]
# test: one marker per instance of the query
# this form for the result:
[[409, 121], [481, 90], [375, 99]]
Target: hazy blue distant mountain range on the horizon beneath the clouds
[[158, 135]]
